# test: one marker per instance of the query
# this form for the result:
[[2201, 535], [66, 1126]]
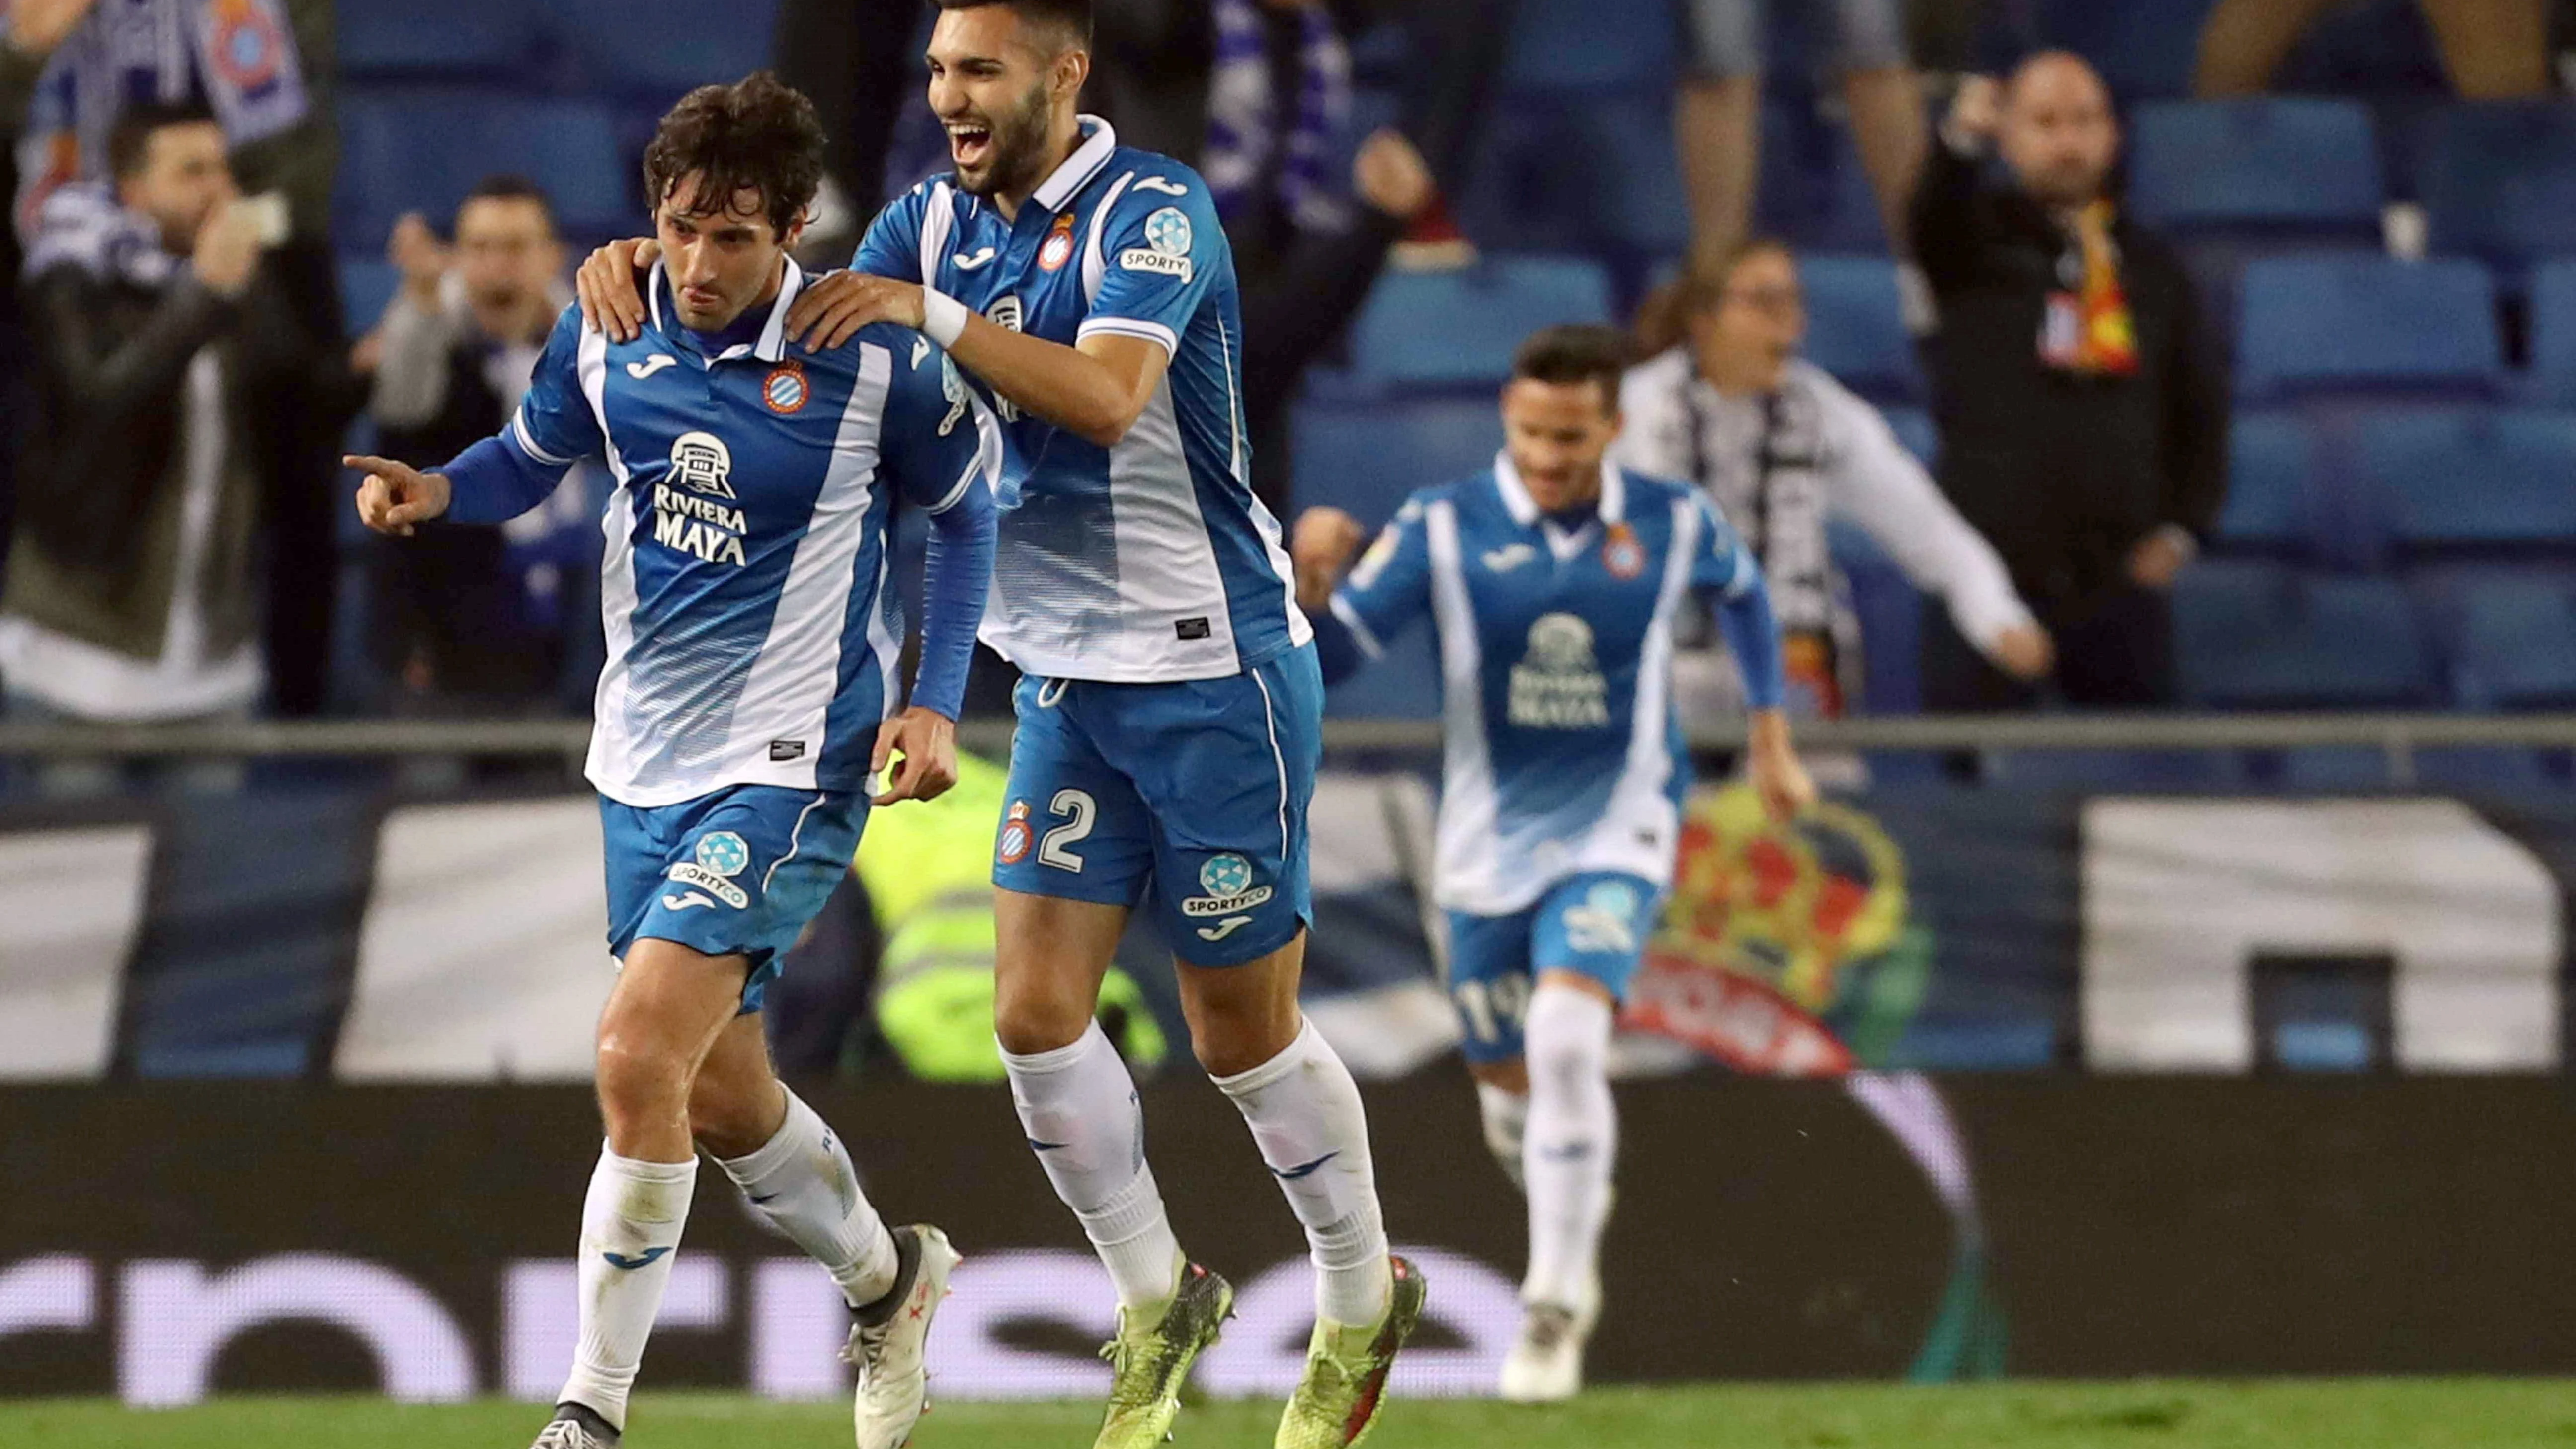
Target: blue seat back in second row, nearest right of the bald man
[[2325, 321]]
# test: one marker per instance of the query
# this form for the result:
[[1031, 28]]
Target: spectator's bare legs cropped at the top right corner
[[2495, 50]]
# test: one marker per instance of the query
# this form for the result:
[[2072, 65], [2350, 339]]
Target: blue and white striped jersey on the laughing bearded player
[[1148, 561]]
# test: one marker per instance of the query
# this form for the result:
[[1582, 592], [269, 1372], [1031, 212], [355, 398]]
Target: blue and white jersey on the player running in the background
[[1562, 746]]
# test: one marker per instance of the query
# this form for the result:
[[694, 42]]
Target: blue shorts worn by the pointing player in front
[[735, 873]]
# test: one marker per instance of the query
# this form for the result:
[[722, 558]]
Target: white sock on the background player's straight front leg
[[1570, 1146]]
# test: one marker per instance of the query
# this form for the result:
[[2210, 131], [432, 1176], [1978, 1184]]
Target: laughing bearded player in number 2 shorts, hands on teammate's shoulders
[[1171, 713]]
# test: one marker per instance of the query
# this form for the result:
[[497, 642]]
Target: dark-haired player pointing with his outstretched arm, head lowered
[[746, 708]]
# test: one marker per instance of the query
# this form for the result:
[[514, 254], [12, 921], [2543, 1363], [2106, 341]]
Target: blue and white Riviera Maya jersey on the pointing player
[[751, 638]]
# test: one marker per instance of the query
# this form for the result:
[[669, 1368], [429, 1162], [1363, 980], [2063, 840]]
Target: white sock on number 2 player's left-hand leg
[[1078, 1107]]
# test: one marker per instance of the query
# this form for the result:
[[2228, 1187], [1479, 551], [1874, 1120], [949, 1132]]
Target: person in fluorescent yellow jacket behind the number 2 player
[[929, 875]]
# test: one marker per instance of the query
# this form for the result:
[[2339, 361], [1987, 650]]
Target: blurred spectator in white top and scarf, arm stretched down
[[1781, 445]]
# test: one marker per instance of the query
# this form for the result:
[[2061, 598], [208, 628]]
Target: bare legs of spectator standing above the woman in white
[[1719, 110]]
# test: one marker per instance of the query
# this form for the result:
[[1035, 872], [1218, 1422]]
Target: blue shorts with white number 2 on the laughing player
[[1194, 788]]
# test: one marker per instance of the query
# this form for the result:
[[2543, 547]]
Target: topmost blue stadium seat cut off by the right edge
[[2500, 182]]
